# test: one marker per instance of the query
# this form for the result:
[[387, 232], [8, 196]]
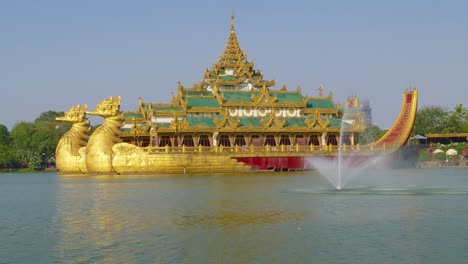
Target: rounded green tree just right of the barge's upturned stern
[[430, 120]]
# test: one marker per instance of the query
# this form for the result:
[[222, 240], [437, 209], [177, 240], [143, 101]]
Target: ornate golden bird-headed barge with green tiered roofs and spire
[[233, 120]]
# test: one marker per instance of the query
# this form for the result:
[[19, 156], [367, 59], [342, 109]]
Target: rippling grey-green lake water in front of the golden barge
[[396, 216]]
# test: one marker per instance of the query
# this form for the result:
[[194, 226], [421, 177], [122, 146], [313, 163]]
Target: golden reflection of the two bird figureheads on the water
[[90, 221]]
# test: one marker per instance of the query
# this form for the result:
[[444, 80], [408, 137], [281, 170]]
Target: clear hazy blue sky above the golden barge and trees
[[56, 54]]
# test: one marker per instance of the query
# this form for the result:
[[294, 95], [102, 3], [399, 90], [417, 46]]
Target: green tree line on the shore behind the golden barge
[[32, 144]]
